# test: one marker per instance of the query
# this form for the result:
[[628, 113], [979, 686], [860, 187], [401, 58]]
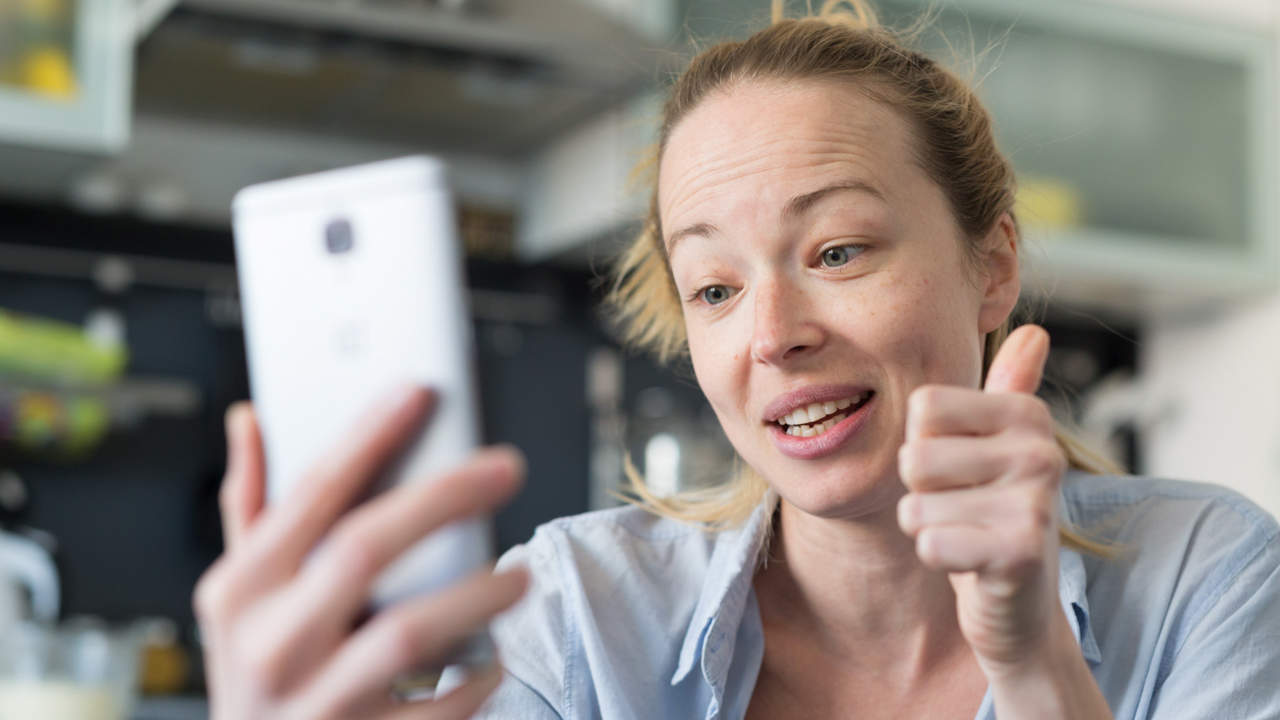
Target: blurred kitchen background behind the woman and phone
[[1145, 134]]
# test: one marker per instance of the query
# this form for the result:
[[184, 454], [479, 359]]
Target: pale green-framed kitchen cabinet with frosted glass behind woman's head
[[1145, 145]]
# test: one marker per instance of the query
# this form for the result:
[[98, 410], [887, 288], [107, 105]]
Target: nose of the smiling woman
[[784, 327]]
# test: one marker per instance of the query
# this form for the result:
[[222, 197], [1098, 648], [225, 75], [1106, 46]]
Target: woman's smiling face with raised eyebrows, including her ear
[[820, 268]]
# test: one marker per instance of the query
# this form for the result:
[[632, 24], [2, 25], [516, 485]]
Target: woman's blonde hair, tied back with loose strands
[[956, 148]]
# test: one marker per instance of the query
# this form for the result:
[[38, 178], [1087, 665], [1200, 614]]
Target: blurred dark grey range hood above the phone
[[499, 78]]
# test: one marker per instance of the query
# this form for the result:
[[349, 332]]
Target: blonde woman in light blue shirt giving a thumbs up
[[833, 241]]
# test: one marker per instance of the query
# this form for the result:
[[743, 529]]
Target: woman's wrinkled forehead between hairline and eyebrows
[[767, 139]]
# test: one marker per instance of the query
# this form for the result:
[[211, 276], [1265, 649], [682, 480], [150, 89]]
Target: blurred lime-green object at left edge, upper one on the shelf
[[56, 352]]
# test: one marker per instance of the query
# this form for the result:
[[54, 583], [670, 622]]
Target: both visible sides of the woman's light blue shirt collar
[[737, 555]]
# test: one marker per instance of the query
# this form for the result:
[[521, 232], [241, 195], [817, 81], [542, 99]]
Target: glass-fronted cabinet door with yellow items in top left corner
[[66, 74]]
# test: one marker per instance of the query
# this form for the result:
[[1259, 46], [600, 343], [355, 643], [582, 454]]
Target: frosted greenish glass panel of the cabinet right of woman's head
[[1132, 135]]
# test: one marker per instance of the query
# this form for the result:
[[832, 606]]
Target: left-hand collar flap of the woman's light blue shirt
[[729, 581]]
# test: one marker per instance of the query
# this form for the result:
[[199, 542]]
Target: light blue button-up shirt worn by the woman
[[632, 616]]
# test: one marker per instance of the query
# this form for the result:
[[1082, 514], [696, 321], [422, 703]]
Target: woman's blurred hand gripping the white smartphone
[[277, 610]]
